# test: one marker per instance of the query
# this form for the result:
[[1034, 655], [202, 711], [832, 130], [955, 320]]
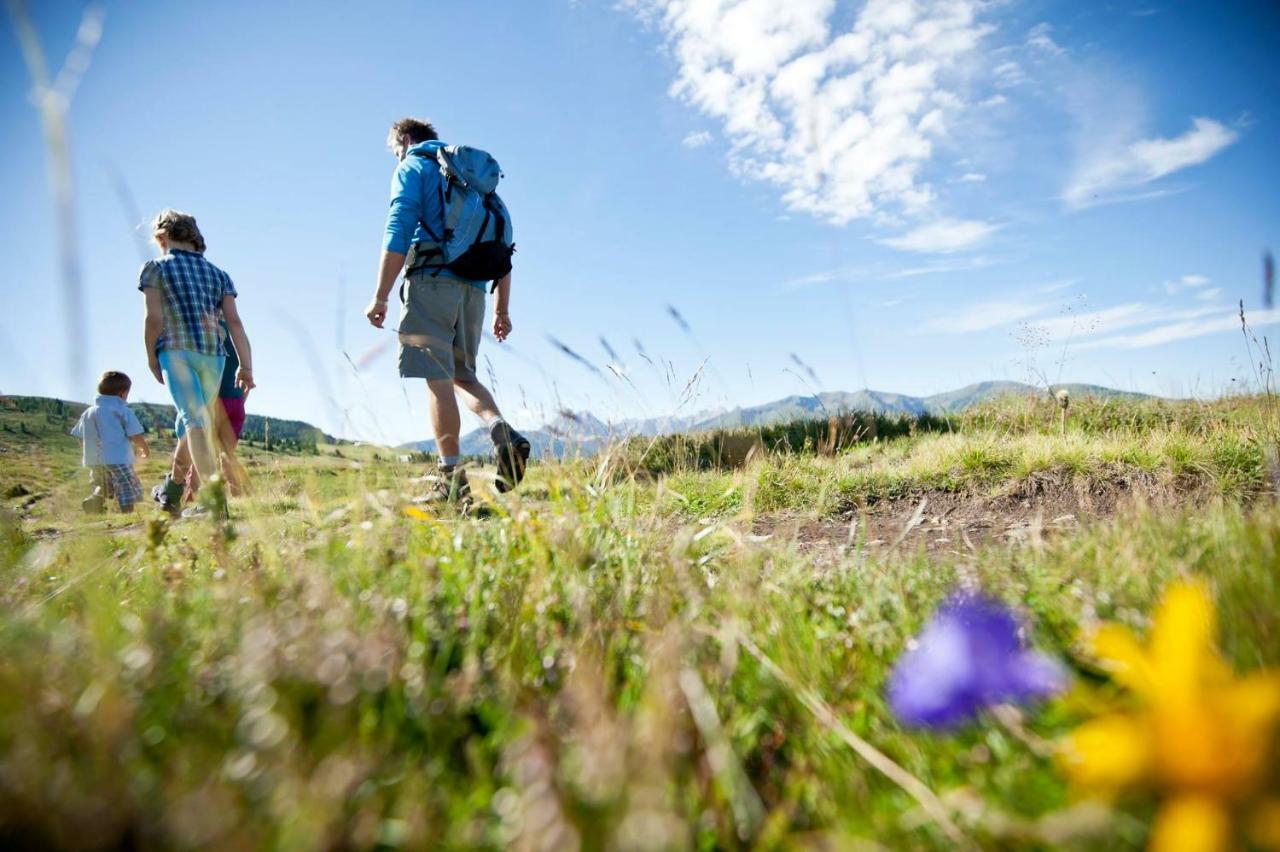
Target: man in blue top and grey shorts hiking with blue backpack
[[451, 235]]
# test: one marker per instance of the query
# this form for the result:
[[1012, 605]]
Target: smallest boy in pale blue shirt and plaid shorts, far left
[[109, 432]]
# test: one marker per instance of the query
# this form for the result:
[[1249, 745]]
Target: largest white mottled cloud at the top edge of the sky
[[843, 121]]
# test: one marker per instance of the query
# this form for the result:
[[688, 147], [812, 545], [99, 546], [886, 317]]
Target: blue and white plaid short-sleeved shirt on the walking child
[[193, 291]]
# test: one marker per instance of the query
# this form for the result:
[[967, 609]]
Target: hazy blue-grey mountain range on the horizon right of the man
[[584, 433]]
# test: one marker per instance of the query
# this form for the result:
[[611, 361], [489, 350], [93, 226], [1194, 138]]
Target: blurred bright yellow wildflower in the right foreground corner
[[1200, 735]]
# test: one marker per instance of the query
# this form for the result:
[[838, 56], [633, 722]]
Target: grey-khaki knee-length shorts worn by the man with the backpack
[[440, 329]]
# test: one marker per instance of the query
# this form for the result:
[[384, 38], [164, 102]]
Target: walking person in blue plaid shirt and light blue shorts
[[186, 300]]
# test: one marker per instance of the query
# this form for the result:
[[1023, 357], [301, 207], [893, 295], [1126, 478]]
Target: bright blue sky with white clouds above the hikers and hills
[[903, 196]]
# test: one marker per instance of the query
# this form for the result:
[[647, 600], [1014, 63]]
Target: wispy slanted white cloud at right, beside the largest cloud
[[1112, 161]]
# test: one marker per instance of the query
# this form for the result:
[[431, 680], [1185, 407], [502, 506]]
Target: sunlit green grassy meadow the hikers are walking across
[[683, 643]]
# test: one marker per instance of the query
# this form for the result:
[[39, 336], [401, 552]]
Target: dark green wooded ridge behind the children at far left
[[43, 419]]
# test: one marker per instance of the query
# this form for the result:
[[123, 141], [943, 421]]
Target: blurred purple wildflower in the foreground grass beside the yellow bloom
[[967, 659]]
